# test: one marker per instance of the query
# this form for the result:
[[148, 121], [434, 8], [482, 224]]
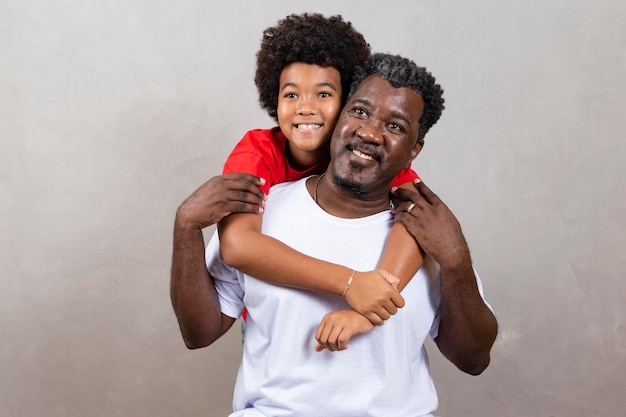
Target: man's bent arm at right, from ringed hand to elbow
[[467, 328]]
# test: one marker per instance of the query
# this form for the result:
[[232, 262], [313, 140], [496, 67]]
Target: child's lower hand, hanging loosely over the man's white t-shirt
[[338, 327]]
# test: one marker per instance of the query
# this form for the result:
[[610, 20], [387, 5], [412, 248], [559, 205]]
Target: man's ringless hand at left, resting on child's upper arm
[[219, 197]]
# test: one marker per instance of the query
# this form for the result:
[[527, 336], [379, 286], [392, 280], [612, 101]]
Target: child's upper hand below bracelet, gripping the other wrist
[[375, 295]]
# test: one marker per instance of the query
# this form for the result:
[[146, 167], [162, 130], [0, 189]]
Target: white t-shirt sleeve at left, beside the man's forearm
[[229, 282]]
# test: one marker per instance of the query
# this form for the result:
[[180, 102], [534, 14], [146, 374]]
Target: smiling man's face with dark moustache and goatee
[[376, 134]]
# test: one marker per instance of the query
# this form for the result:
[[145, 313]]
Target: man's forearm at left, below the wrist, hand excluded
[[192, 290]]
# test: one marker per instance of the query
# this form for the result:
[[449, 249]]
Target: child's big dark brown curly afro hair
[[309, 38]]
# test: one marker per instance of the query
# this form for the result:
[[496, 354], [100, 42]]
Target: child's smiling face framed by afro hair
[[309, 102]]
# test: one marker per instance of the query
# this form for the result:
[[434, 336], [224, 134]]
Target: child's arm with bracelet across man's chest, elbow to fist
[[245, 248]]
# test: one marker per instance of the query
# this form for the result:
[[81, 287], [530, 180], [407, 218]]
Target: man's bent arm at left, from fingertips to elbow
[[192, 290]]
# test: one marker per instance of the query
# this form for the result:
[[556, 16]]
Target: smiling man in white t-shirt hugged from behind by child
[[342, 216]]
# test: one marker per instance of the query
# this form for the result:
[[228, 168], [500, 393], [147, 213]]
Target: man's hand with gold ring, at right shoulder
[[432, 224]]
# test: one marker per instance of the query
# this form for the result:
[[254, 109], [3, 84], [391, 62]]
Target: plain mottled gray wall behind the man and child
[[111, 112]]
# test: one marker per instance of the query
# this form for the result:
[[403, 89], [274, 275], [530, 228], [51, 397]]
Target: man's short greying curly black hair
[[402, 72]]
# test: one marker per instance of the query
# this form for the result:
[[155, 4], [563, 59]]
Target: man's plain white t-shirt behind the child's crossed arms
[[383, 372]]
